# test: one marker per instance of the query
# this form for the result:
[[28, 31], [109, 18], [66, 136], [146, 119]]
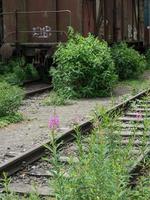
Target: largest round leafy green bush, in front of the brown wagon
[[84, 68]]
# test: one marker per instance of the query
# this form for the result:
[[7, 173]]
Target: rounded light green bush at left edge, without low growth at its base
[[10, 99]]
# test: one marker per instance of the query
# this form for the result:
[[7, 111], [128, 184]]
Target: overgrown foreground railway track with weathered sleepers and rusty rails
[[30, 167]]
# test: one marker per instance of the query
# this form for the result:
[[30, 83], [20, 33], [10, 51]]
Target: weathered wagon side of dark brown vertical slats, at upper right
[[121, 20]]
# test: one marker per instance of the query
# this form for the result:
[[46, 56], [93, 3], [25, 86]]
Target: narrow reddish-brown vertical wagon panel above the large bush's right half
[[89, 15]]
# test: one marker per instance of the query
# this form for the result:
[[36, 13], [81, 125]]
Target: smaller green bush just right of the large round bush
[[129, 63]]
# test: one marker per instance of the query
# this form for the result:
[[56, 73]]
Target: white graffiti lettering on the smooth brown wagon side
[[42, 32]]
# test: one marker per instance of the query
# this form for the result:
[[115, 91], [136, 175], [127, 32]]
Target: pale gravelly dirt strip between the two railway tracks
[[18, 138]]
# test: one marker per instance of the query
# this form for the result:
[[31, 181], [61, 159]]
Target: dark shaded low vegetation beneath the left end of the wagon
[[15, 71]]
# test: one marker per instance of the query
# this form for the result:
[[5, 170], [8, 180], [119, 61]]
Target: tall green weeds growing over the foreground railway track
[[102, 170]]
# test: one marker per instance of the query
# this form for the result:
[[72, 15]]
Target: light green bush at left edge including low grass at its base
[[10, 100]]
